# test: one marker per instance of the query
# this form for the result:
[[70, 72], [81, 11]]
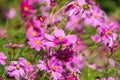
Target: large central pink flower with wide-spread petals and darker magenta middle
[[60, 38]]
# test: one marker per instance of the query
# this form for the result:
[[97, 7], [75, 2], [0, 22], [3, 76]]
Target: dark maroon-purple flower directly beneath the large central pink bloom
[[65, 55]]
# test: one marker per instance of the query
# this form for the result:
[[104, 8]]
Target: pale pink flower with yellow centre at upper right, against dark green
[[96, 17]]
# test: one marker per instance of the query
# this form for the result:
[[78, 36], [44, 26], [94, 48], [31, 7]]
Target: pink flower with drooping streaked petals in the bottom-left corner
[[15, 69]]
